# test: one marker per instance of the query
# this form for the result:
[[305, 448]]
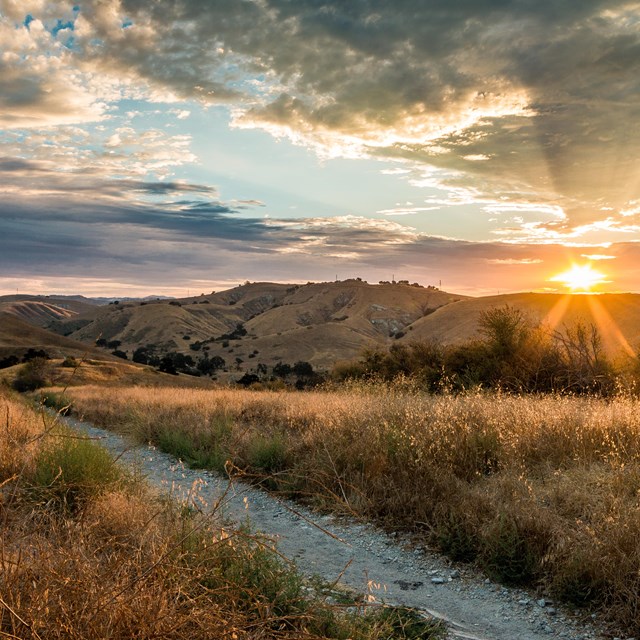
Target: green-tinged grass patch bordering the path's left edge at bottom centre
[[244, 570]]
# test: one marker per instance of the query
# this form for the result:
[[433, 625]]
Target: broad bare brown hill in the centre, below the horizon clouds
[[319, 323]]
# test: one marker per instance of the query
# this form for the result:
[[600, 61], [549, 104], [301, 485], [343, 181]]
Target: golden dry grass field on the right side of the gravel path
[[537, 490]]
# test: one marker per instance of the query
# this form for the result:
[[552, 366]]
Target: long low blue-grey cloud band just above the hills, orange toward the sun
[[167, 243]]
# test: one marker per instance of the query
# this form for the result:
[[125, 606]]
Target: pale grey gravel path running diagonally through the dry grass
[[364, 558]]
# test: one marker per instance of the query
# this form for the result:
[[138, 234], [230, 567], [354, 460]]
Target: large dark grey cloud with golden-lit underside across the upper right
[[528, 100]]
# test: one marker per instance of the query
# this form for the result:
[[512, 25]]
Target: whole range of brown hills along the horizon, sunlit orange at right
[[265, 324]]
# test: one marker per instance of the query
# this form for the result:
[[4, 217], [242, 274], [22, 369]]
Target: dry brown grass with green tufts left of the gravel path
[[88, 552]]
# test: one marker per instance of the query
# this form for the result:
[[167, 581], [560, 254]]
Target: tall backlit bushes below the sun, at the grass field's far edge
[[511, 354]]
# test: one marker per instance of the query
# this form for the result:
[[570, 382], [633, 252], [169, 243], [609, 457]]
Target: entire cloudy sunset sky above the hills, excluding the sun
[[179, 146]]
